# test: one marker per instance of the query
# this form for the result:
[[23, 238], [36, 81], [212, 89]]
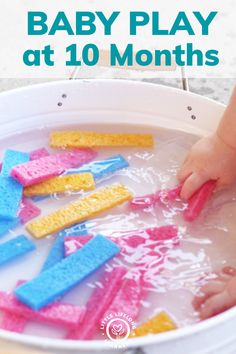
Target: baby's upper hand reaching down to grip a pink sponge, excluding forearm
[[209, 159]]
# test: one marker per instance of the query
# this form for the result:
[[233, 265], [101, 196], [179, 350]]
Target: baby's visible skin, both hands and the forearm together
[[214, 158]]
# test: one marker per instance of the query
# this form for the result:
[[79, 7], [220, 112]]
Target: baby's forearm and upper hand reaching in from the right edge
[[213, 157]]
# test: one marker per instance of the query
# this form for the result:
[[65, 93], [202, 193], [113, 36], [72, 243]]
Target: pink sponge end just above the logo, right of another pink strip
[[128, 299]]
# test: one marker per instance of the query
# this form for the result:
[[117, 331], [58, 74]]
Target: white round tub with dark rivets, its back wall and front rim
[[122, 102]]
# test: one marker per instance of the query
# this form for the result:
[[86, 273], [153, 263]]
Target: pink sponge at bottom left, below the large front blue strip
[[60, 314]]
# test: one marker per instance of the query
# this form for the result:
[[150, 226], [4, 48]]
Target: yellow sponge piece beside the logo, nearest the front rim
[[160, 323]]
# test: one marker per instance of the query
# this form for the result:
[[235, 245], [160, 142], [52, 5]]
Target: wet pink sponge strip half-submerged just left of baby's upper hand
[[151, 199]]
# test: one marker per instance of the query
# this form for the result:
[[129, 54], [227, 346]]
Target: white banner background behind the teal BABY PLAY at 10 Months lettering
[[14, 39]]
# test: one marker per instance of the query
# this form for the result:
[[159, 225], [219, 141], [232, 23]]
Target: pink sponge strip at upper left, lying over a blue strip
[[37, 171]]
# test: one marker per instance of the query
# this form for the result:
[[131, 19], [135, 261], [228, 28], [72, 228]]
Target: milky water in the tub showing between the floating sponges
[[205, 245]]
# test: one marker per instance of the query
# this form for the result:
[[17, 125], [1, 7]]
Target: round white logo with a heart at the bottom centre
[[116, 328]]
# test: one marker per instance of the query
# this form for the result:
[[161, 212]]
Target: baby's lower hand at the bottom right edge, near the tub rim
[[218, 295]]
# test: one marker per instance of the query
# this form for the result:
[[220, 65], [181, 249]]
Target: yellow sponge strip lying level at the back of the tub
[[75, 139]]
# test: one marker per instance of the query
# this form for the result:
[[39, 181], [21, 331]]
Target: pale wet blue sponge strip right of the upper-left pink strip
[[101, 169]]
